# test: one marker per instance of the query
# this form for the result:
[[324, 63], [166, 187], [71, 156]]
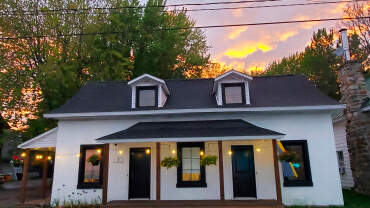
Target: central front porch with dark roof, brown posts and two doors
[[246, 173]]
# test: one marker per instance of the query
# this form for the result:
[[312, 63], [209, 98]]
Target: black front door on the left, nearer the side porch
[[139, 184]]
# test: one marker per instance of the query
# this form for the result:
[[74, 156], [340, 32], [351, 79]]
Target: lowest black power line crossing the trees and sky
[[187, 28]]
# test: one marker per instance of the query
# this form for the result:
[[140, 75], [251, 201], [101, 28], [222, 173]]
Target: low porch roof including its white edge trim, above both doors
[[191, 131]]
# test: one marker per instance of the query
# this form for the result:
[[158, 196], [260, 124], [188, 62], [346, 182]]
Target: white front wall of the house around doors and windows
[[316, 128]]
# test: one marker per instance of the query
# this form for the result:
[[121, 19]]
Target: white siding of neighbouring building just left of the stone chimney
[[341, 145]]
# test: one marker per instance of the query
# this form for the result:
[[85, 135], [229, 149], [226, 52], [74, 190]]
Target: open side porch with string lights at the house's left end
[[42, 149]]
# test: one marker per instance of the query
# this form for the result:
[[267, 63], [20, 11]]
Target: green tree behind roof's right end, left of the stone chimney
[[318, 63]]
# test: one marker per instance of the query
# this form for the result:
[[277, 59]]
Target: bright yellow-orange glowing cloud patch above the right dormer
[[247, 48]]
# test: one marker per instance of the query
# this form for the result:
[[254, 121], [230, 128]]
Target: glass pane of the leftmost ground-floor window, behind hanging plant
[[92, 167]]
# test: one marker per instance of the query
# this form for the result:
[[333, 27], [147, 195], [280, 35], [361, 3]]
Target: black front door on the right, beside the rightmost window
[[244, 180]]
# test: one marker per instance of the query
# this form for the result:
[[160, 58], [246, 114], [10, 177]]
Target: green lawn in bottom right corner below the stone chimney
[[351, 200]]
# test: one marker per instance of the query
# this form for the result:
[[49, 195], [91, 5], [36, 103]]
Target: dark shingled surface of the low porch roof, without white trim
[[183, 129]]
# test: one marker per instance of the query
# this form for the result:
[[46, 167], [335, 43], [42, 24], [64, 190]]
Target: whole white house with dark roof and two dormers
[[244, 121]]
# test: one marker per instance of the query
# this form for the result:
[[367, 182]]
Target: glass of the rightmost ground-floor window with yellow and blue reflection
[[298, 167]]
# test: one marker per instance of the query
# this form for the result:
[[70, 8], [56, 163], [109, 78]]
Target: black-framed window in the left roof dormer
[[147, 96]]
